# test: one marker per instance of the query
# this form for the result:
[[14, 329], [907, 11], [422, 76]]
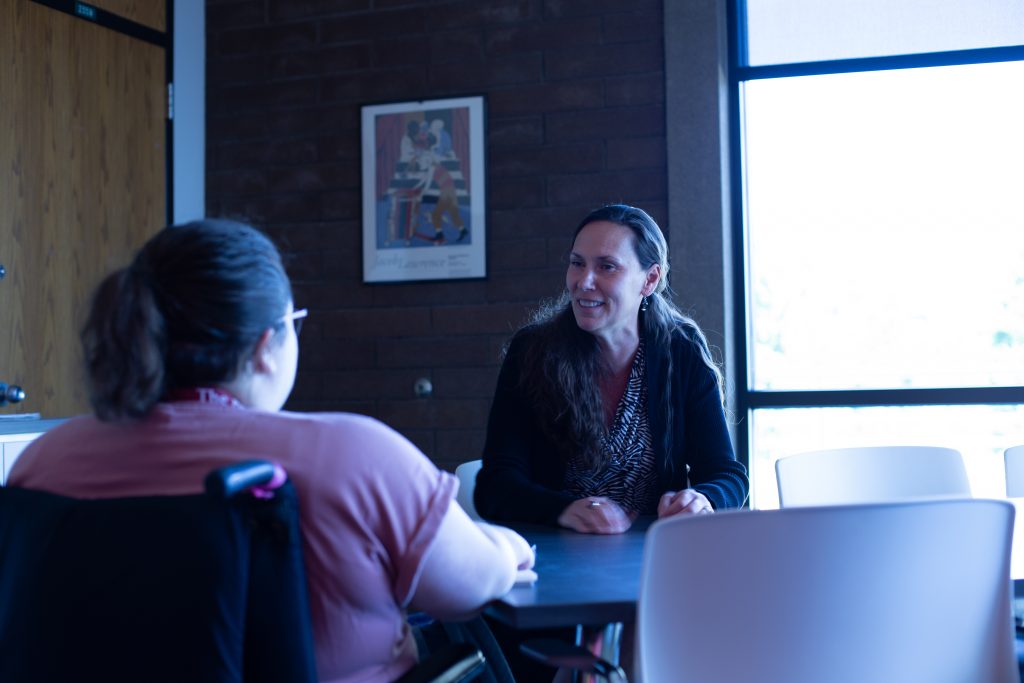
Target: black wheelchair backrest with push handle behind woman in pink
[[209, 587]]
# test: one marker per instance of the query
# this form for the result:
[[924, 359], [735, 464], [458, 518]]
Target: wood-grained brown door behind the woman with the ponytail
[[82, 185]]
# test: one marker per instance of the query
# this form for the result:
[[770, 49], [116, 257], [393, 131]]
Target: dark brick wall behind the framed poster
[[575, 93]]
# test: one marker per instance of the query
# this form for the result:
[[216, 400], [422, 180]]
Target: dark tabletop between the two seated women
[[584, 579]]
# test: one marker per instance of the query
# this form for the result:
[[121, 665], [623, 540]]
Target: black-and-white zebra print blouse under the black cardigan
[[631, 476]]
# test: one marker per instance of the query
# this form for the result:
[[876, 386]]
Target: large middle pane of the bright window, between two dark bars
[[885, 220]]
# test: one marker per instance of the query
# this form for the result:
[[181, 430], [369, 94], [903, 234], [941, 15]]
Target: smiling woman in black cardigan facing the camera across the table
[[609, 404]]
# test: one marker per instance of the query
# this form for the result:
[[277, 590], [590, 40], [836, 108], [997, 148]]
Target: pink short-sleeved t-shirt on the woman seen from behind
[[371, 506]]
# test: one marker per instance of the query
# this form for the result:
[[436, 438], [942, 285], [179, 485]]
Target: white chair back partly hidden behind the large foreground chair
[[874, 475]]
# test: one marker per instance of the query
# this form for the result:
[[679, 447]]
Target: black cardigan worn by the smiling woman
[[523, 476]]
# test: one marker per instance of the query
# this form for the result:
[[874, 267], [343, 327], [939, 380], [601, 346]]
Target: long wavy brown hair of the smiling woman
[[563, 364]]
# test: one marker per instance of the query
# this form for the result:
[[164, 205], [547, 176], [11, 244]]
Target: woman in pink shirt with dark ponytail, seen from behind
[[191, 354]]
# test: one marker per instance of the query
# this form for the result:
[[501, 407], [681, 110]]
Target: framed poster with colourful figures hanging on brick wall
[[423, 194]]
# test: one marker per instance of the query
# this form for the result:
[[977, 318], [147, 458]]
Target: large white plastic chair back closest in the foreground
[[914, 591]]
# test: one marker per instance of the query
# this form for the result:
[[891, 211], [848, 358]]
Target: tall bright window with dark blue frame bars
[[882, 229]]
